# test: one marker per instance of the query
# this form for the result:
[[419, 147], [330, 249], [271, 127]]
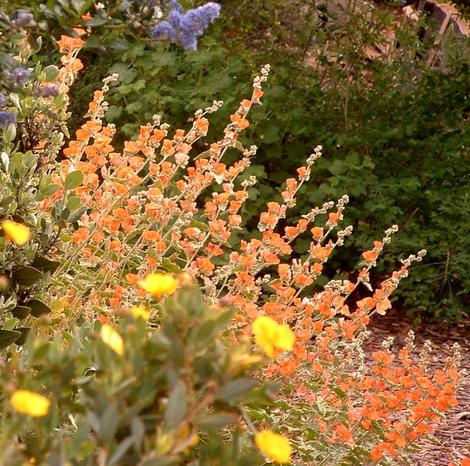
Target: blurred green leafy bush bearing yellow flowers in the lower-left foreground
[[164, 401]]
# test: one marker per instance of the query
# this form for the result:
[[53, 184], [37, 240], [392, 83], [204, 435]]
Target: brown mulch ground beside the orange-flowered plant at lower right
[[452, 437]]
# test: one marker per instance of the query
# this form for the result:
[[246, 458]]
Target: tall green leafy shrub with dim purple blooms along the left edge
[[34, 102]]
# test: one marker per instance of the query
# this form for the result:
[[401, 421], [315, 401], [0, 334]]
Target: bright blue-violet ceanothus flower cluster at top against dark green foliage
[[184, 28]]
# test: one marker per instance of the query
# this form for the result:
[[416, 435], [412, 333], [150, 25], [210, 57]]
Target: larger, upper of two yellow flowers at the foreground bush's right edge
[[270, 335]]
